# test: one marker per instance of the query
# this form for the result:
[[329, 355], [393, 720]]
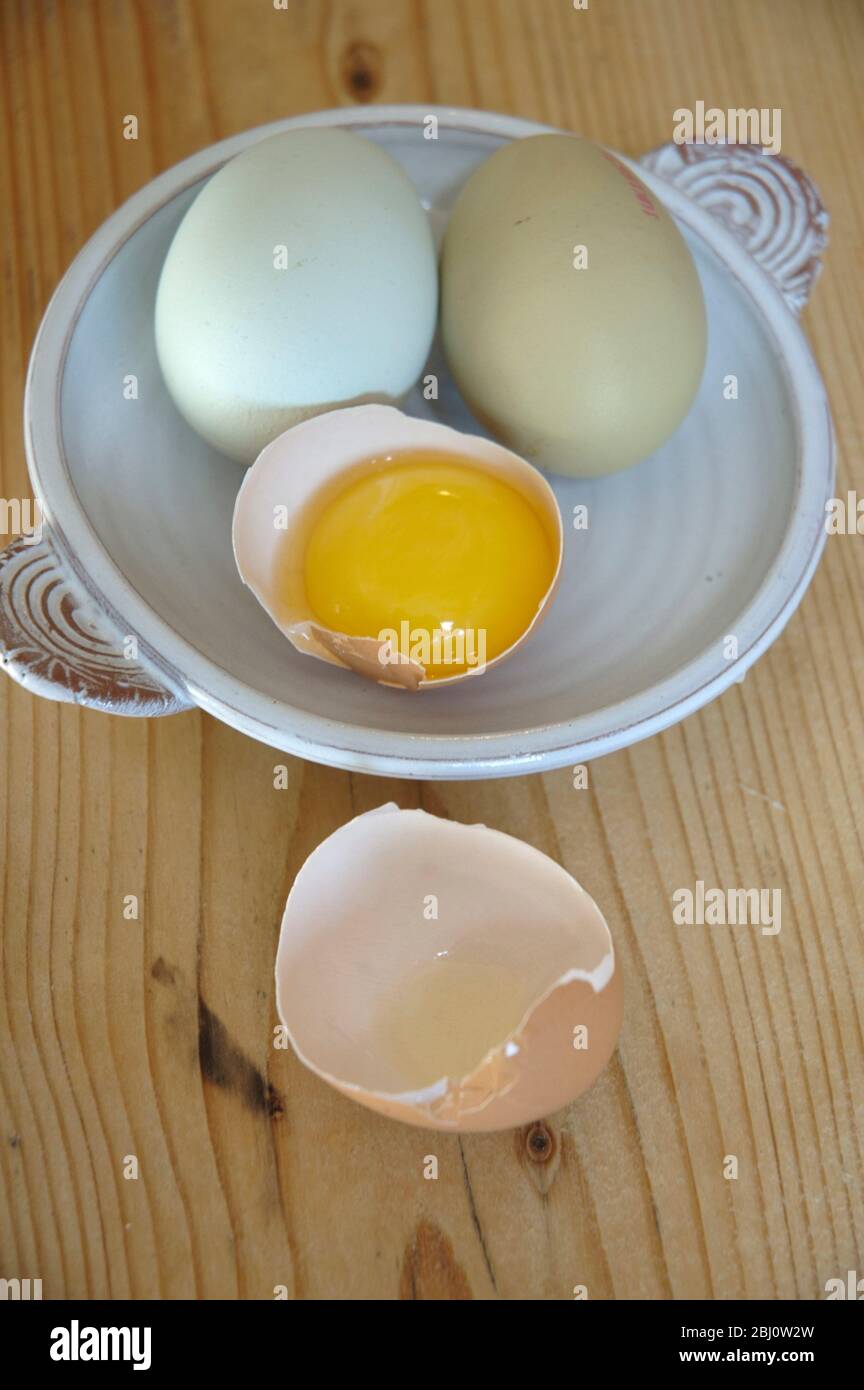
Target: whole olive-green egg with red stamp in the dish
[[573, 316]]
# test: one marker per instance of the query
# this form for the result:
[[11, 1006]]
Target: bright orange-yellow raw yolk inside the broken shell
[[429, 547]]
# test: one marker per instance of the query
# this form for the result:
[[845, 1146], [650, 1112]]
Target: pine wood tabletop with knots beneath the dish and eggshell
[[153, 1038]]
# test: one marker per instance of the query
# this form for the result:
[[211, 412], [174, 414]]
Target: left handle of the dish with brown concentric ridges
[[59, 644]]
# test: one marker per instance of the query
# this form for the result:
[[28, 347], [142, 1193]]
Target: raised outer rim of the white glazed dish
[[358, 747]]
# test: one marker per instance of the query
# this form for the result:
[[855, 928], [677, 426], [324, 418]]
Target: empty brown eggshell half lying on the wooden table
[[449, 976]]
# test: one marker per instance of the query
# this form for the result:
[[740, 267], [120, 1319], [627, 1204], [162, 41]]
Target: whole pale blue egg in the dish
[[302, 279]]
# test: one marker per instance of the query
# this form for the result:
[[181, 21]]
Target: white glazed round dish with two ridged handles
[[716, 536]]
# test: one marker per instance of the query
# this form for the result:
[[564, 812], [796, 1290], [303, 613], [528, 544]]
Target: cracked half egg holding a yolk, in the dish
[[398, 548]]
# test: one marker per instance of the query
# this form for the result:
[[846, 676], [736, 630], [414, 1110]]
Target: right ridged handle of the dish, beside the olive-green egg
[[765, 201]]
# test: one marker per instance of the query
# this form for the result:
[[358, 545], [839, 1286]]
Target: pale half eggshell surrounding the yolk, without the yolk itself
[[295, 475]]
